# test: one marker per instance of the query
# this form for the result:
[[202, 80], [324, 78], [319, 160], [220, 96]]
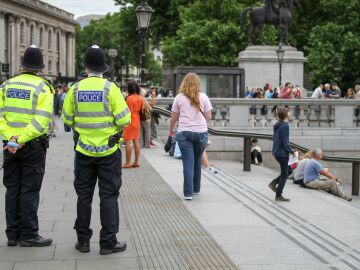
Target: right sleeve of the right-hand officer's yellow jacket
[[119, 107]]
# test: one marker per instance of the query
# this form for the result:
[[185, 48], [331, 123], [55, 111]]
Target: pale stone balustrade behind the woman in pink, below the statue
[[262, 112]]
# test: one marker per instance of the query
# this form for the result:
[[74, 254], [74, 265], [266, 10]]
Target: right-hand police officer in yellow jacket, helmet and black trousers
[[96, 109]]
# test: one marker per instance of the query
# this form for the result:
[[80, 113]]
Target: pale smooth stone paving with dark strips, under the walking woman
[[314, 231]]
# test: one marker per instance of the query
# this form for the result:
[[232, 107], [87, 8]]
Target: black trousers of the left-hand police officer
[[23, 176]]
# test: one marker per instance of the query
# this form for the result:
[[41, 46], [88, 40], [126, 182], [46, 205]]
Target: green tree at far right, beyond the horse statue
[[328, 31]]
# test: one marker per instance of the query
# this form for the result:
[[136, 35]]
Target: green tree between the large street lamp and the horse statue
[[209, 34]]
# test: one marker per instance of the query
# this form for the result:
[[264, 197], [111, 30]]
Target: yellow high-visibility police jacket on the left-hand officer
[[26, 107]]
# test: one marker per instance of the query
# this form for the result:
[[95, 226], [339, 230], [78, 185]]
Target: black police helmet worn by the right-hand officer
[[95, 59]]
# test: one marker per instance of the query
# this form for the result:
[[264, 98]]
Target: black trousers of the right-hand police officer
[[108, 171]]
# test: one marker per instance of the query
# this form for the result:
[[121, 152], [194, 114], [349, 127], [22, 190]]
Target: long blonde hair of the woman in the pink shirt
[[190, 87]]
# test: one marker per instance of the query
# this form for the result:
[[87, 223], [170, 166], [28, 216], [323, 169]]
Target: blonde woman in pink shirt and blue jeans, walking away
[[192, 109]]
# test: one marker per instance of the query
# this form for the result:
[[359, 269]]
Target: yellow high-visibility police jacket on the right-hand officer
[[96, 109]]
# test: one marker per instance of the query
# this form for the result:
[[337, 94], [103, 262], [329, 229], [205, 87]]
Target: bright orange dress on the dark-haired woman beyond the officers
[[132, 132]]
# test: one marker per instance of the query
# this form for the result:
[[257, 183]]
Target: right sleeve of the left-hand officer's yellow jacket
[[42, 117]]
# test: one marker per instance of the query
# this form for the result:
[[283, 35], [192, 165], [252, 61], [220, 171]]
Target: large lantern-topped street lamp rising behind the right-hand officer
[[143, 14]]
